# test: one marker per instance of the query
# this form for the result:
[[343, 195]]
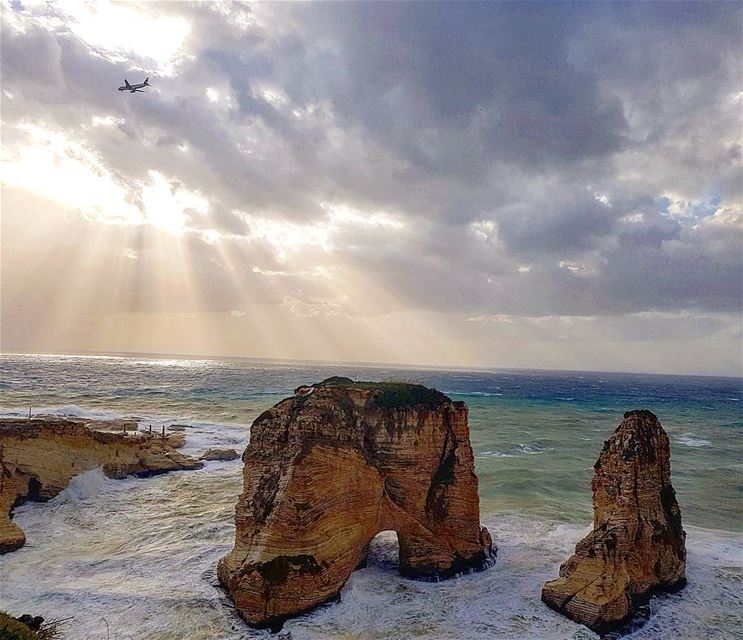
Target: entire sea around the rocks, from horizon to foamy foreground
[[135, 559]]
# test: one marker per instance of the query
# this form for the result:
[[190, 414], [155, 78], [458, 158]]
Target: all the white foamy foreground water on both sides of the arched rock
[[110, 546]]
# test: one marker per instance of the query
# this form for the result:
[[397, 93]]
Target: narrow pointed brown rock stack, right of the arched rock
[[637, 545]]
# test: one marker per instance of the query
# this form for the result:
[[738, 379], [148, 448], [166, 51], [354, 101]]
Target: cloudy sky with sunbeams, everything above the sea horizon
[[488, 185]]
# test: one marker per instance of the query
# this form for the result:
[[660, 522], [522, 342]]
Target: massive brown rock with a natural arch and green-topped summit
[[328, 469]]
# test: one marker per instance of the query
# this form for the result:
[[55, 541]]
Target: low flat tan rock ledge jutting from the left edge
[[39, 457]]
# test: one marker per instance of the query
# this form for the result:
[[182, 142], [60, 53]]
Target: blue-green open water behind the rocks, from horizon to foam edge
[[536, 434]]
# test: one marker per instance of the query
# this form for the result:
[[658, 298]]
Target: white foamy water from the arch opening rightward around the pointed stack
[[504, 601]]
